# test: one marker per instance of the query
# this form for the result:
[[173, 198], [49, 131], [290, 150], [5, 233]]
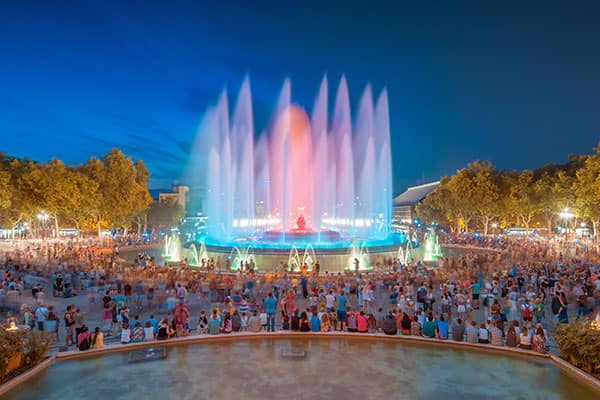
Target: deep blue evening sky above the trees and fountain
[[518, 85]]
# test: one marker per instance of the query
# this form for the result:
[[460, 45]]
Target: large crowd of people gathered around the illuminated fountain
[[507, 297]]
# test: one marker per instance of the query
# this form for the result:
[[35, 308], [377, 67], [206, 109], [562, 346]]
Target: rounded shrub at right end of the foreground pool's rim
[[579, 343]]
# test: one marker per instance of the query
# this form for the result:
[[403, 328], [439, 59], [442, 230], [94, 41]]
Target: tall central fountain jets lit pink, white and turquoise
[[308, 178]]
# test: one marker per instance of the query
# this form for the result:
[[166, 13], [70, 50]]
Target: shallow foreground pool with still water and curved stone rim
[[332, 369]]
